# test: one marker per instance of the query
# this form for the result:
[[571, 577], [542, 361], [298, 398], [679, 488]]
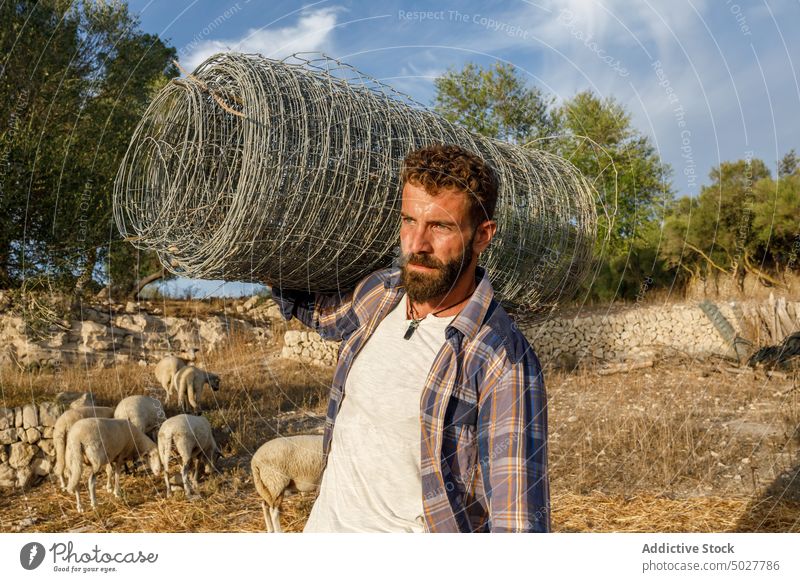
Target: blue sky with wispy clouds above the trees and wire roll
[[707, 81]]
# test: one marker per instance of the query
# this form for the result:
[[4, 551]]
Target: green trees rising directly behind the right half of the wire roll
[[597, 136]]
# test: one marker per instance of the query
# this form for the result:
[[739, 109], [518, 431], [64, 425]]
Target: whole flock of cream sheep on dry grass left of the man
[[138, 429]]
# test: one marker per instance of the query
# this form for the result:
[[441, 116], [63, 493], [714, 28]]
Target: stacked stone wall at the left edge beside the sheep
[[26, 443]]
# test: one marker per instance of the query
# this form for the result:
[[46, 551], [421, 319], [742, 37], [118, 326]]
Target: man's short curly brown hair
[[451, 167]]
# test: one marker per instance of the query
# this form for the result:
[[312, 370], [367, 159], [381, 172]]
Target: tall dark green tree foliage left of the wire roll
[[76, 80]]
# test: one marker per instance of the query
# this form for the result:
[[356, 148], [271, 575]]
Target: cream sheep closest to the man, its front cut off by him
[[285, 464]]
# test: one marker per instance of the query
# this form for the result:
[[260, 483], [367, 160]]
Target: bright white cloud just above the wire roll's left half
[[312, 32]]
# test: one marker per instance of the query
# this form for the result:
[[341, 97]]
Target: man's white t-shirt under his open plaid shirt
[[372, 481]]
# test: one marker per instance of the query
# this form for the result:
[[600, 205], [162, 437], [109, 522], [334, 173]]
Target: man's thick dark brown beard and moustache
[[424, 286]]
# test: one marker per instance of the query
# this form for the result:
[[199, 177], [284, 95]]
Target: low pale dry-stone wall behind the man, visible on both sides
[[629, 333]]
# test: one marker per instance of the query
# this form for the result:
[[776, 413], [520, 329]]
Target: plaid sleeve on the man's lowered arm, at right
[[512, 443]]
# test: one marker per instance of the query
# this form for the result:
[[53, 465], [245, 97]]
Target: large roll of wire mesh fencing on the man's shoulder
[[288, 172]]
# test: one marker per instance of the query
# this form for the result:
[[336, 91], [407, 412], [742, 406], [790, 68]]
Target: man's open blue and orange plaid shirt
[[483, 409]]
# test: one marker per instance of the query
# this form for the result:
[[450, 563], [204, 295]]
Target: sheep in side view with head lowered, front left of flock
[[105, 441]]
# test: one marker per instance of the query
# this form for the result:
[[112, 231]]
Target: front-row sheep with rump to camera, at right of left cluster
[[192, 437]]
